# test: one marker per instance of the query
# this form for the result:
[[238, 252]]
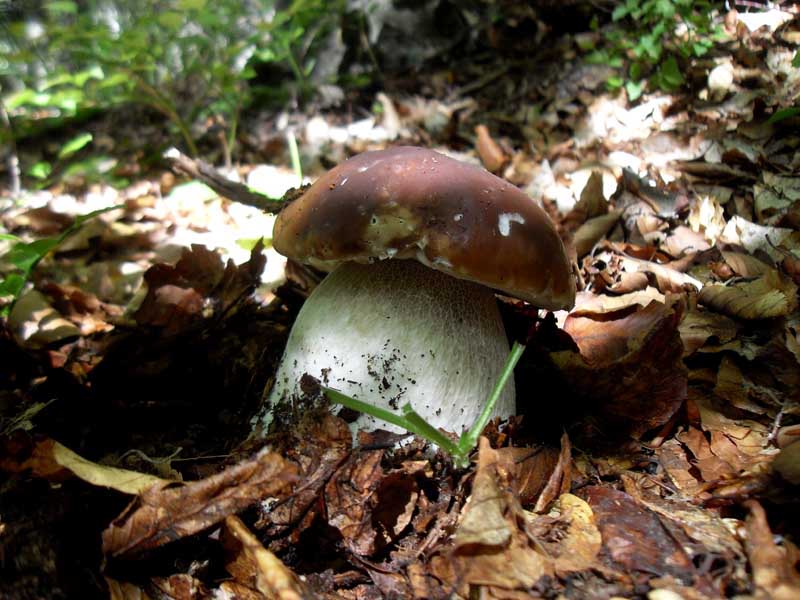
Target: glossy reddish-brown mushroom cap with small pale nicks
[[409, 202]]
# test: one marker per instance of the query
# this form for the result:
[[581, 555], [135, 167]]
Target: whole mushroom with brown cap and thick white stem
[[415, 243]]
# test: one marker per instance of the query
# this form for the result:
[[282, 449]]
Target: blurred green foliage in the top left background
[[189, 60]]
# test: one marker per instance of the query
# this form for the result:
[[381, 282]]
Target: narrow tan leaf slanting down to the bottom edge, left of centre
[[256, 568]]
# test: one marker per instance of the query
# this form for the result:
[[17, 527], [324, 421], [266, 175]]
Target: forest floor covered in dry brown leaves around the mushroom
[[657, 450]]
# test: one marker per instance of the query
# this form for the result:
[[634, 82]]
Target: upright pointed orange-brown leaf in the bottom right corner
[[774, 568]]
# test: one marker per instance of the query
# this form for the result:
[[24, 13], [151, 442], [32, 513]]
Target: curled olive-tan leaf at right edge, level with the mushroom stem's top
[[771, 295]]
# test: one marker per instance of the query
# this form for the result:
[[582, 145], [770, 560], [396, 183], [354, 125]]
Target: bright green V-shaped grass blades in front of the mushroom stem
[[411, 421]]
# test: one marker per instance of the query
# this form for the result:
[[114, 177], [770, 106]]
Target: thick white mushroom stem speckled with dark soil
[[395, 332]]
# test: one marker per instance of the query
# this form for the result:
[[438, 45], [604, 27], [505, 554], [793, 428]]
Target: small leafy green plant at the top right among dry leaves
[[658, 35]]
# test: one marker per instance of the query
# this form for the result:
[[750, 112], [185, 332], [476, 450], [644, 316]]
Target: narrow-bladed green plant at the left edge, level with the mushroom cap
[[24, 256]]
